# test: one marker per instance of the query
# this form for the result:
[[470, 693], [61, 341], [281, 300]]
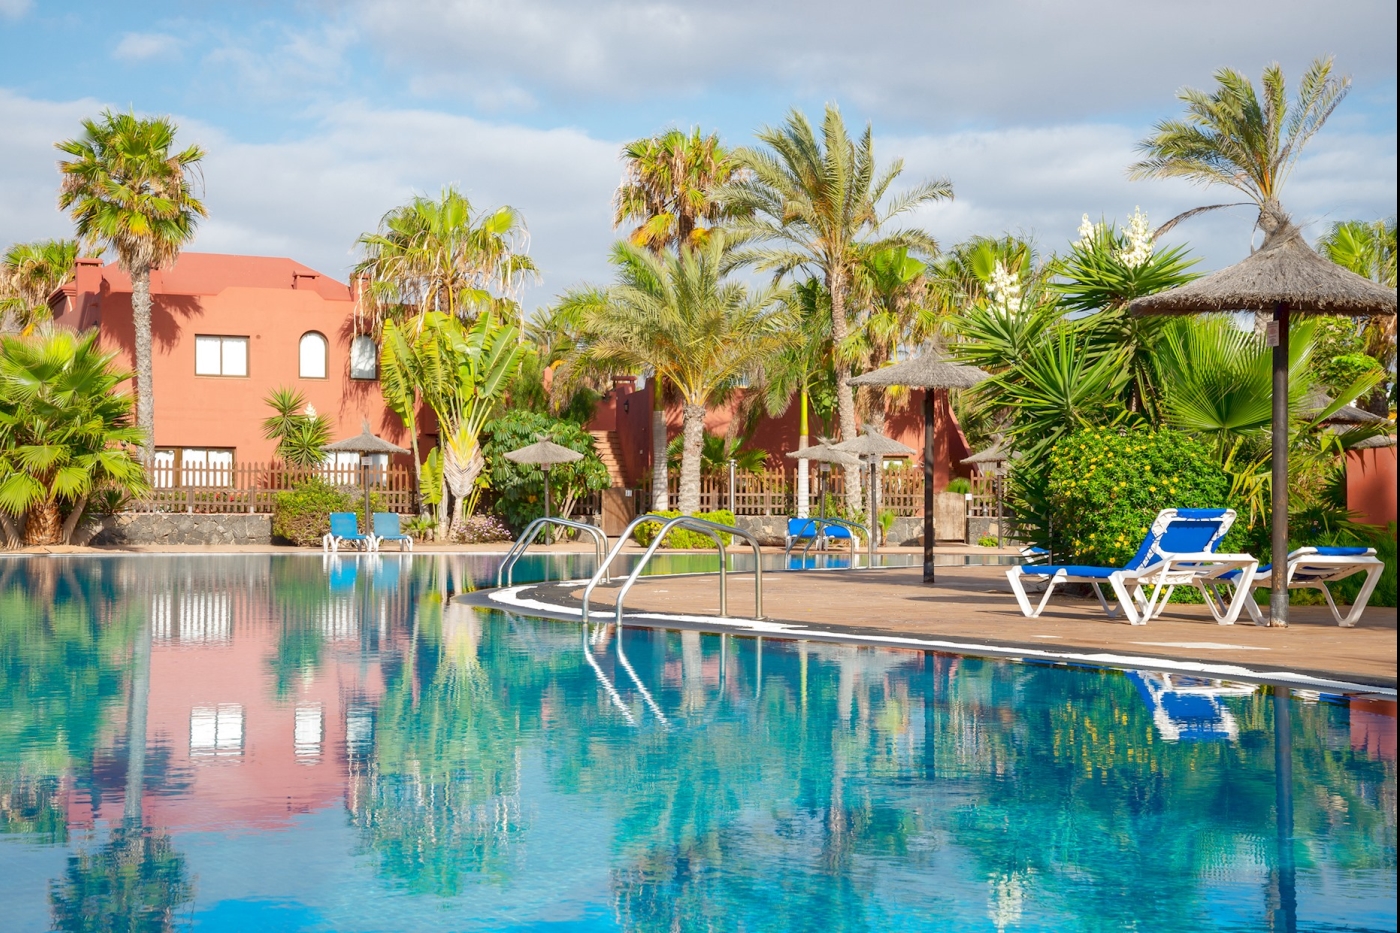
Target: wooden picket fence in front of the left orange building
[[251, 488]]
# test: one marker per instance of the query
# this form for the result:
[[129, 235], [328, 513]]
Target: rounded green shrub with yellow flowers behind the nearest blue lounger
[[1104, 490]]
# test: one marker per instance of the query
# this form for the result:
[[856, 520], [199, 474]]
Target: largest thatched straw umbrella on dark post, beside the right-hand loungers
[[1284, 277]]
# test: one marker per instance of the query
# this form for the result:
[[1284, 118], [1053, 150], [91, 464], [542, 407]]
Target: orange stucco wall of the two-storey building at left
[[269, 300]]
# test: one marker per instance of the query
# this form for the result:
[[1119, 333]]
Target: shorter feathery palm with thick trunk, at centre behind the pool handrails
[[678, 316]]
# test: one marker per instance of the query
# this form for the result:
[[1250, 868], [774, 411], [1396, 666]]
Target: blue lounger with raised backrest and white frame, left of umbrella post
[[1179, 550]]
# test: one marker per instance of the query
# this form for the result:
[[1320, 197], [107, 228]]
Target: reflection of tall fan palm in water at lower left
[[138, 880]]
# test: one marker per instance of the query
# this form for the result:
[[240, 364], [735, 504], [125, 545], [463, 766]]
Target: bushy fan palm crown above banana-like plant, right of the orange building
[[443, 256]]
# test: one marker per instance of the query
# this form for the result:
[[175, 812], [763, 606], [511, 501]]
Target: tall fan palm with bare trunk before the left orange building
[[128, 191]]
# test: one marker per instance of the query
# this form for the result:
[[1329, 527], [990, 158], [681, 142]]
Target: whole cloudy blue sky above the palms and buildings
[[321, 117]]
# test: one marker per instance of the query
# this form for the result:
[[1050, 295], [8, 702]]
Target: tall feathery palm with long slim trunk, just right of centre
[[820, 205]]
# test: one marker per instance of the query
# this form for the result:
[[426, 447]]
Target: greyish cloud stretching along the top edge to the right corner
[[930, 64]]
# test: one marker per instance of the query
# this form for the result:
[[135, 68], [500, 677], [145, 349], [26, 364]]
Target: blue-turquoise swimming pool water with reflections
[[288, 743]]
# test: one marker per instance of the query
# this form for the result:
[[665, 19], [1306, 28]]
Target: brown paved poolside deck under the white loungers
[[976, 604]]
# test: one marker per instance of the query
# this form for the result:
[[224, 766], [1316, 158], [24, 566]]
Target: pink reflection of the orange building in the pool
[[264, 687]]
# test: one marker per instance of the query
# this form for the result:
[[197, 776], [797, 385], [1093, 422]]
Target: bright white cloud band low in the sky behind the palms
[[310, 198]]
